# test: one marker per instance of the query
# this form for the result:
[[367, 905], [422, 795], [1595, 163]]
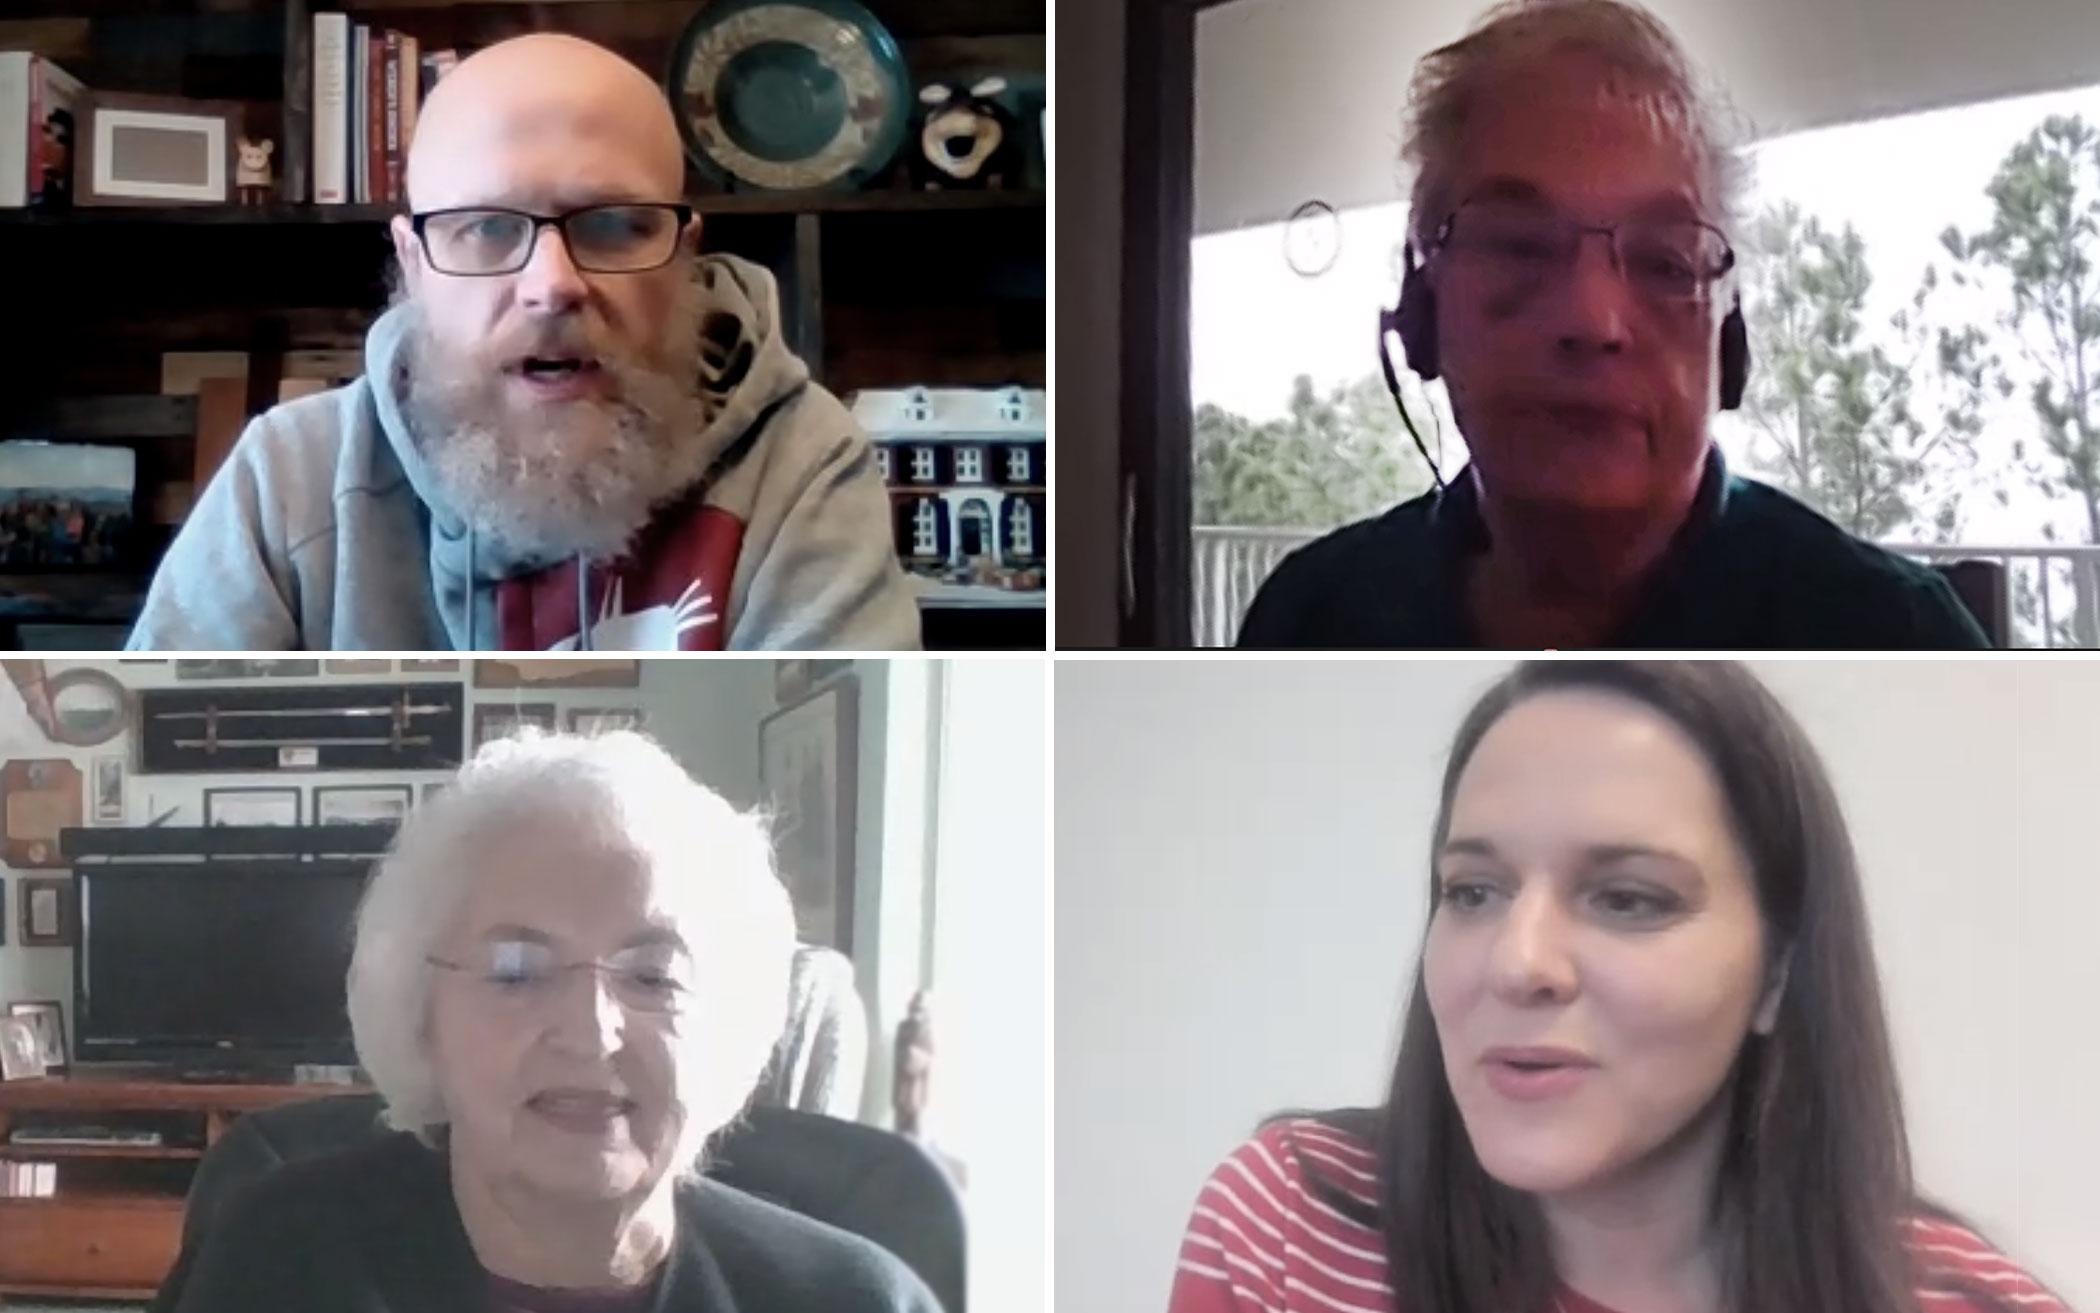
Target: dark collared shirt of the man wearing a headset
[[1750, 570]]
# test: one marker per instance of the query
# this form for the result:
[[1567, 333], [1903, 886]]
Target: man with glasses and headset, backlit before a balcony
[[1574, 203]]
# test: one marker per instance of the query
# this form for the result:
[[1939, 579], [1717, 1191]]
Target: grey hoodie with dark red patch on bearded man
[[324, 530]]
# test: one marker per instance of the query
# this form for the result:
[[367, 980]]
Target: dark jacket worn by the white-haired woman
[[375, 1230]]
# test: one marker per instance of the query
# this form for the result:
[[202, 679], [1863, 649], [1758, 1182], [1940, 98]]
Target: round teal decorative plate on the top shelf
[[791, 96]]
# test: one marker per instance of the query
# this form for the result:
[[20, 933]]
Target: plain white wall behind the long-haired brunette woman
[[1242, 892]]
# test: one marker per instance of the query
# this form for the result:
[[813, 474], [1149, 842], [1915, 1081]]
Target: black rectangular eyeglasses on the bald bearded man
[[488, 241]]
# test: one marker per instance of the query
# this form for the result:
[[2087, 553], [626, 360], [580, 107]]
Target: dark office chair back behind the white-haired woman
[[856, 1177]]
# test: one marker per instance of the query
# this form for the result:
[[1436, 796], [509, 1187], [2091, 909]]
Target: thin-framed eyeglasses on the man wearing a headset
[[1519, 247]]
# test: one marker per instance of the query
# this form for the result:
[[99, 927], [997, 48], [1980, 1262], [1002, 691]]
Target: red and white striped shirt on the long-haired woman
[[1261, 1243]]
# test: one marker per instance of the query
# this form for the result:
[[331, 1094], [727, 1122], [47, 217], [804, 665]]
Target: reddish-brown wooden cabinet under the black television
[[117, 1224]]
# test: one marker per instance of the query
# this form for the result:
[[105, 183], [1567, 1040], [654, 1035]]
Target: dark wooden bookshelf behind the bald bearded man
[[885, 287]]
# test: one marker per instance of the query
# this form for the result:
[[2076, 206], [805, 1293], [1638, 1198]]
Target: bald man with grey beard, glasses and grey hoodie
[[574, 432]]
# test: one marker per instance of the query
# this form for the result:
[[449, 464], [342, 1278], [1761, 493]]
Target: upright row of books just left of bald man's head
[[369, 85]]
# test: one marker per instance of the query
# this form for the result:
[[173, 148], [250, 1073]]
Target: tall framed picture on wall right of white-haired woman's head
[[810, 780]]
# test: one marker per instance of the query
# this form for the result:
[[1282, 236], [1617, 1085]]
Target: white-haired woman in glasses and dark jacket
[[568, 976]]
